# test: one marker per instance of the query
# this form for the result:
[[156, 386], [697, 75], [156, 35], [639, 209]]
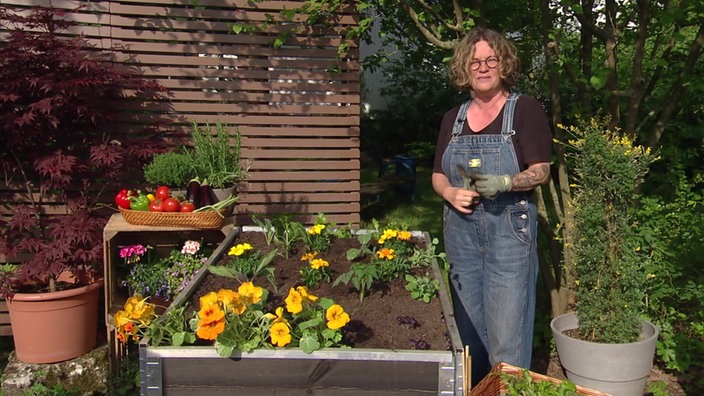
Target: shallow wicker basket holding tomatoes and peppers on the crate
[[206, 219]]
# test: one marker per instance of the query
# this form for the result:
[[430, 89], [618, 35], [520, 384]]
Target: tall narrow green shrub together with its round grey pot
[[606, 344]]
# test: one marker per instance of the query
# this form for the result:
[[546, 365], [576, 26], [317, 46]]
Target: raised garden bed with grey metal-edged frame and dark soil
[[385, 359]]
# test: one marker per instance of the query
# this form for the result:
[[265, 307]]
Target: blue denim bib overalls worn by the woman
[[492, 252]]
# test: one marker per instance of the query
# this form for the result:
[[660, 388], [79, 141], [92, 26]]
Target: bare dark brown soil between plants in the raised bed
[[387, 318]]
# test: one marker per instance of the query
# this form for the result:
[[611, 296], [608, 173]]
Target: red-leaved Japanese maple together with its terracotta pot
[[57, 152]]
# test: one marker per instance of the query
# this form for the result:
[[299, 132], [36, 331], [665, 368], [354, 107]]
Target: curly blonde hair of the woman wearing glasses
[[459, 68]]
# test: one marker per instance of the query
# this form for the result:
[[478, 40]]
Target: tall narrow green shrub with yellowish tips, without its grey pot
[[609, 264]]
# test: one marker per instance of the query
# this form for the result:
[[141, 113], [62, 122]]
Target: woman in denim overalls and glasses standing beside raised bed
[[492, 152]]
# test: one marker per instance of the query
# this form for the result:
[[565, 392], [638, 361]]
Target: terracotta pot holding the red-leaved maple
[[54, 327]]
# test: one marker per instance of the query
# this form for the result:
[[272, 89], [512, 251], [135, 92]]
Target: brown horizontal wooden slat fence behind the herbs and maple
[[297, 106]]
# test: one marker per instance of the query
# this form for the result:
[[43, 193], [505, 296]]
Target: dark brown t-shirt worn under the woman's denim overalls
[[532, 141]]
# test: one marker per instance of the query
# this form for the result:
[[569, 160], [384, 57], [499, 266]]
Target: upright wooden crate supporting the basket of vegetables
[[117, 234]]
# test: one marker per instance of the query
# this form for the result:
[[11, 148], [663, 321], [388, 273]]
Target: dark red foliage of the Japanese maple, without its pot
[[59, 144]]
